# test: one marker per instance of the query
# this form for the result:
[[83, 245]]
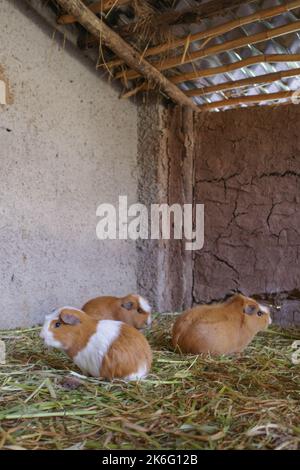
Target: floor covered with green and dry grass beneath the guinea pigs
[[188, 402]]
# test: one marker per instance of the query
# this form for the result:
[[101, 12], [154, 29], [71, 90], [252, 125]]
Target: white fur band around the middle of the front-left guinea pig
[[90, 358]]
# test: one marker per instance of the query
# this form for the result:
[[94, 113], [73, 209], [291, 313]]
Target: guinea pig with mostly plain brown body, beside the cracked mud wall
[[221, 328]]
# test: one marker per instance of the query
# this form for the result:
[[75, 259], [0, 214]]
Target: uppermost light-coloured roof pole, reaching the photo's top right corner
[[217, 30]]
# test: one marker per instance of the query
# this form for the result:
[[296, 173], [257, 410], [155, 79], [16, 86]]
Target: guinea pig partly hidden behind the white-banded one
[[132, 309]]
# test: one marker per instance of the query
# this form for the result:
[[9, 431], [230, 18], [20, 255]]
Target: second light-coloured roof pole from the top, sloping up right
[[224, 47]]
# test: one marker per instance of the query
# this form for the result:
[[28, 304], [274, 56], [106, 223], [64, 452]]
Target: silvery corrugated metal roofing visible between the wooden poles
[[288, 44]]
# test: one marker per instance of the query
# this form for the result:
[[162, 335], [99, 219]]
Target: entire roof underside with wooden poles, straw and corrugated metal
[[175, 42]]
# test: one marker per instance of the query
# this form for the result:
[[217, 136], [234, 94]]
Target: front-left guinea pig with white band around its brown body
[[106, 348]]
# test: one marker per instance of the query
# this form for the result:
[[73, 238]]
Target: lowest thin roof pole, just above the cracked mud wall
[[246, 100]]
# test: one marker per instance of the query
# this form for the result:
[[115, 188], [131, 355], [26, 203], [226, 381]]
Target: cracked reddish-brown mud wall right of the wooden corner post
[[247, 166]]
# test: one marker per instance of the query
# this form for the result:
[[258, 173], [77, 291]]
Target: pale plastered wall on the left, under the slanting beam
[[72, 145]]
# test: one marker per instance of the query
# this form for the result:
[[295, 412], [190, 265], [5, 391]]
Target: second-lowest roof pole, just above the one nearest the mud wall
[[260, 79]]
